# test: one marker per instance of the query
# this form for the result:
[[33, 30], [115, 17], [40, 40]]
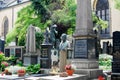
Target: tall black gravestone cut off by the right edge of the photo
[[116, 56]]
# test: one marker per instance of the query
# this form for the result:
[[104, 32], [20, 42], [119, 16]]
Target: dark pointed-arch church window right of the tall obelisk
[[102, 11]]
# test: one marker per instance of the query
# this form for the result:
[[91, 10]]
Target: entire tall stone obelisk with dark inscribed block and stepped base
[[84, 47]]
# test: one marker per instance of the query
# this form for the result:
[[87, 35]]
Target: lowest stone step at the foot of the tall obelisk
[[91, 73]]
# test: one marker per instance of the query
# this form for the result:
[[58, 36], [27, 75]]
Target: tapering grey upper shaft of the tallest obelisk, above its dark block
[[84, 24]]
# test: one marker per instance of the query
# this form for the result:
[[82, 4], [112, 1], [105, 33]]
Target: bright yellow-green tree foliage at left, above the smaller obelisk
[[26, 16]]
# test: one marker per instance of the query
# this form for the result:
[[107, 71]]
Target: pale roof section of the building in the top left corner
[[8, 3]]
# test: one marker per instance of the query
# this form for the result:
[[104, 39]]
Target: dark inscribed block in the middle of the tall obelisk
[[83, 47]]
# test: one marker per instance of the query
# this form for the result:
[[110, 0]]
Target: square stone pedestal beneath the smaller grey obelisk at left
[[30, 59]]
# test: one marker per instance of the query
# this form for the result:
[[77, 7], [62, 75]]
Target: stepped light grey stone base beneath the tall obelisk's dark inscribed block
[[87, 67]]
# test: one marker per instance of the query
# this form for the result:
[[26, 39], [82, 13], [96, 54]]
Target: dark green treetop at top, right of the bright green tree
[[42, 8]]
